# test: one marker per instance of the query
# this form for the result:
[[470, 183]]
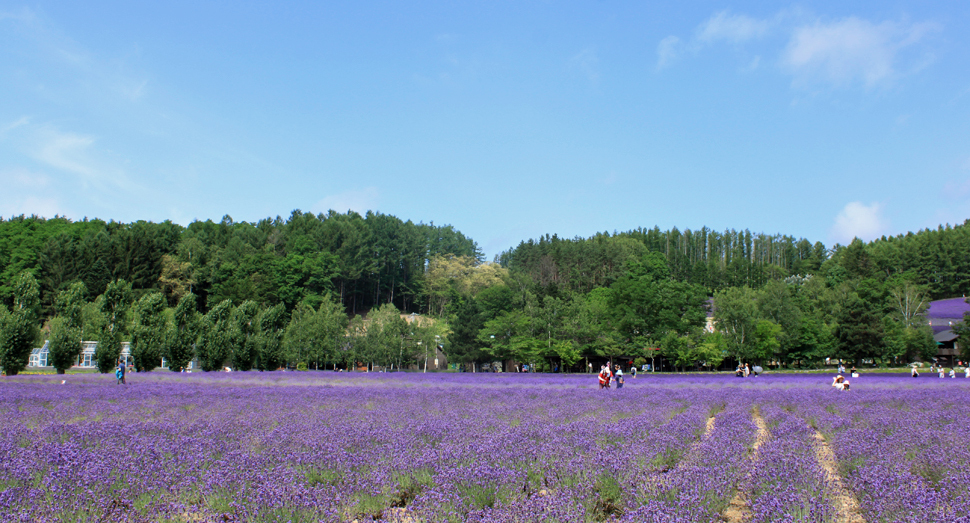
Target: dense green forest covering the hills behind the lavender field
[[344, 290]]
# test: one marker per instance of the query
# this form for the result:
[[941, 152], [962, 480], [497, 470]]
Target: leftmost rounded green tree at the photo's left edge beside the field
[[18, 327]]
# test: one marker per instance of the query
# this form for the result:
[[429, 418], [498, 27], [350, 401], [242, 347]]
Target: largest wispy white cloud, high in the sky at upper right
[[850, 50]]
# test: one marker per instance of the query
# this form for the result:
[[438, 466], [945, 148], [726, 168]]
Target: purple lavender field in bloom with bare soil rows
[[477, 447]]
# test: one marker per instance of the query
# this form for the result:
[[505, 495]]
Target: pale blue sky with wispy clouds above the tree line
[[508, 120]]
